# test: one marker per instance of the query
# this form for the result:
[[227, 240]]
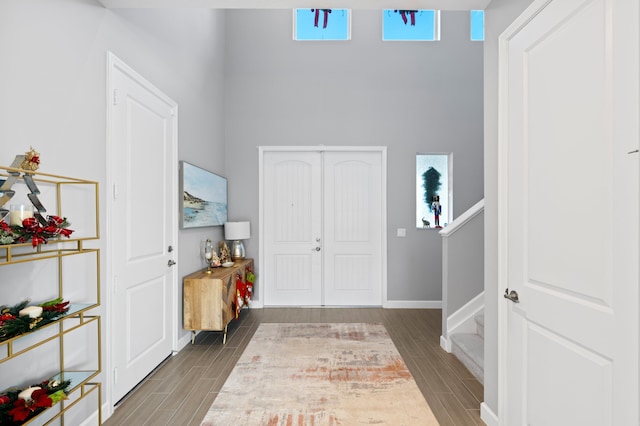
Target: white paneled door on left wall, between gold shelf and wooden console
[[143, 223]]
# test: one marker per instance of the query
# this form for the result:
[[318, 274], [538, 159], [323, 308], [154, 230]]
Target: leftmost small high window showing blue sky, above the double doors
[[321, 24]]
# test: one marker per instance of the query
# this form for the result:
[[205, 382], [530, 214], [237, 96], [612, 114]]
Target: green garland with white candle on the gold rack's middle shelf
[[12, 324]]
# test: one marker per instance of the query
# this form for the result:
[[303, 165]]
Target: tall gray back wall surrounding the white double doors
[[411, 97]]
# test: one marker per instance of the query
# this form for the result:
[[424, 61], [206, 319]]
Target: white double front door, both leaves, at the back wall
[[322, 227]]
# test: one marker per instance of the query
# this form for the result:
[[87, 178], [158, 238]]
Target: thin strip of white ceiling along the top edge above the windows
[[291, 4]]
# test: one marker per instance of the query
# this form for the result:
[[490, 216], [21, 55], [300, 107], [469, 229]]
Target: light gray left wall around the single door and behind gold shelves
[[53, 86]]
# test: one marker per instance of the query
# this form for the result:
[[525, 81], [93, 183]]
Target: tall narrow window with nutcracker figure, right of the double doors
[[433, 190]]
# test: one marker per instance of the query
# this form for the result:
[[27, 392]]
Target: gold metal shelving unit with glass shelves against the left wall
[[79, 316]]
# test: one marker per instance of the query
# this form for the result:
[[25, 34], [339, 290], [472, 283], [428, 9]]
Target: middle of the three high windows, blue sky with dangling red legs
[[409, 25]]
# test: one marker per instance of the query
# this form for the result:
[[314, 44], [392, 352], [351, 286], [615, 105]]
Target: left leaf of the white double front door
[[292, 224]]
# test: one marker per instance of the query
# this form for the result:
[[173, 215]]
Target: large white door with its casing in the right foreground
[[569, 214]]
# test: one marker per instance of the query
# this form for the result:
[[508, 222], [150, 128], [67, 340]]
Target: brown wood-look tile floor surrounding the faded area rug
[[181, 390]]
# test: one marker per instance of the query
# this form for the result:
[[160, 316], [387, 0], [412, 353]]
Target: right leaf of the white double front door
[[352, 200]]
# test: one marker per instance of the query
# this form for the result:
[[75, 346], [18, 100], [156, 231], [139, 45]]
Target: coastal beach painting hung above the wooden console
[[203, 197]]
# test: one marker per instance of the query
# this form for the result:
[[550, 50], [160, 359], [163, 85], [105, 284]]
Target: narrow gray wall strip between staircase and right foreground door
[[498, 16]]
